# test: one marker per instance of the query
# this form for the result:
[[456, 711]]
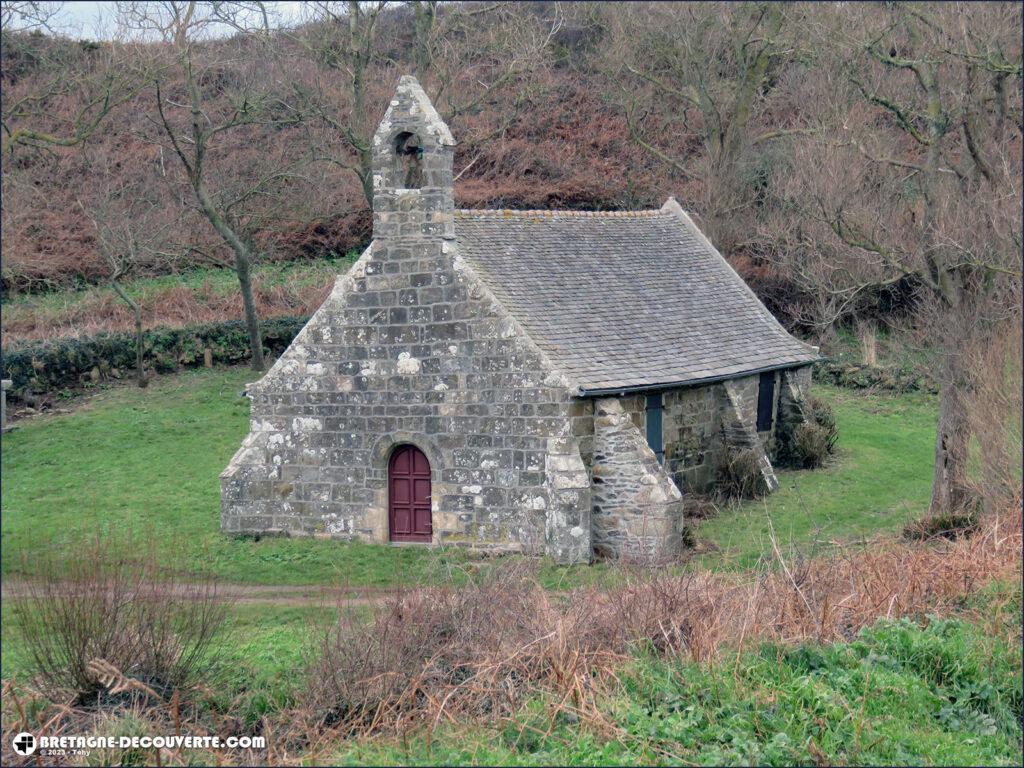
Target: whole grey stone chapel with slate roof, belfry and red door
[[533, 381]]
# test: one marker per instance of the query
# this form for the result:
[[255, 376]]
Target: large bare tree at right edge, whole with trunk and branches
[[918, 182]]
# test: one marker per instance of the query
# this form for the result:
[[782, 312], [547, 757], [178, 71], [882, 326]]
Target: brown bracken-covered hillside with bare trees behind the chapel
[[775, 124]]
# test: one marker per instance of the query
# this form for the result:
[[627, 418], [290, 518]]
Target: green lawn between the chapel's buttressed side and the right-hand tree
[[879, 482]]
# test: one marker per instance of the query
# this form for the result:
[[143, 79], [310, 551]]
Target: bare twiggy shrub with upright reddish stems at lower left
[[103, 607]]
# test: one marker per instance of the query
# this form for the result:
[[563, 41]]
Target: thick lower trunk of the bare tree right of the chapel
[[950, 486]]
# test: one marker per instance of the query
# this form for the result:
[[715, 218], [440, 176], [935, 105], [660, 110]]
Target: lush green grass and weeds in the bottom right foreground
[[940, 693]]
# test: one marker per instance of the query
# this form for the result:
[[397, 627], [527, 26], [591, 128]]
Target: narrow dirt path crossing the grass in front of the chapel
[[253, 594]]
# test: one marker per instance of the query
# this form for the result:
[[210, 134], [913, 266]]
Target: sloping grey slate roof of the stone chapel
[[625, 301]]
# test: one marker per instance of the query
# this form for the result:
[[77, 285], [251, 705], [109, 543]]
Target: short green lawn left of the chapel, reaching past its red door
[[135, 463]]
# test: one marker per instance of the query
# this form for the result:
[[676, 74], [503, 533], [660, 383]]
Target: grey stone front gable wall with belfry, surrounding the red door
[[411, 348]]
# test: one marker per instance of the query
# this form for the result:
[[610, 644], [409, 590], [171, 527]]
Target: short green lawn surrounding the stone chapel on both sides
[[132, 463]]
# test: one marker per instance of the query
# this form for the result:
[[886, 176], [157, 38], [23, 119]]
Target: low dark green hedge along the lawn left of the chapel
[[47, 366]]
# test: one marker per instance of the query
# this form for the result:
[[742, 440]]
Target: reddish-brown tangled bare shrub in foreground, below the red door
[[423, 644]]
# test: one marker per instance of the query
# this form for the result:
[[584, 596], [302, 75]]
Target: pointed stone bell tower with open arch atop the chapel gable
[[413, 184]]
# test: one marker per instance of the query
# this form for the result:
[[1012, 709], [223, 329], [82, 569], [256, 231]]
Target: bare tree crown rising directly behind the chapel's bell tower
[[463, 55]]
